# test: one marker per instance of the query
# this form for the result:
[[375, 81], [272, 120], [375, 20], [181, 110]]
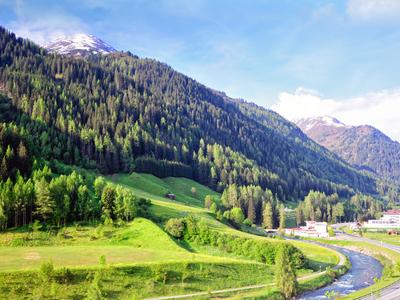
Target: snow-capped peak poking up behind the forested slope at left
[[79, 44]]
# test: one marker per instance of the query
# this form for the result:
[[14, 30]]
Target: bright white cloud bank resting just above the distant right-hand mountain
[[379, 109]]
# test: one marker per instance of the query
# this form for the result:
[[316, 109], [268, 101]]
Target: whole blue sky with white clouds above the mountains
[[300, 58]]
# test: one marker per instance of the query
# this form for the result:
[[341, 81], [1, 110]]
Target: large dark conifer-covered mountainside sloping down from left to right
[[119, 112]]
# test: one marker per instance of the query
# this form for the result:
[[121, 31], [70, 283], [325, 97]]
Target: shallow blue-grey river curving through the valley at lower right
[[362, 273]]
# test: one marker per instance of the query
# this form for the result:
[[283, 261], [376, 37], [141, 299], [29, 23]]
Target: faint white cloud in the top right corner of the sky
[[373, 9]]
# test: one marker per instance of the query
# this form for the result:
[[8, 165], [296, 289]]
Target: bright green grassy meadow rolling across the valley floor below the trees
[[137, 253]]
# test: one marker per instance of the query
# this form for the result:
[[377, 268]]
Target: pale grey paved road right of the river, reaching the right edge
[[391, 292]]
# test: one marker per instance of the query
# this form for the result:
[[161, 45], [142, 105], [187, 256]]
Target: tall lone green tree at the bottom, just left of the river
[[285, 274]]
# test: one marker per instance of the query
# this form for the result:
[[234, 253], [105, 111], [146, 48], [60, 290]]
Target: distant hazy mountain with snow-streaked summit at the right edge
[[363, 146]]
